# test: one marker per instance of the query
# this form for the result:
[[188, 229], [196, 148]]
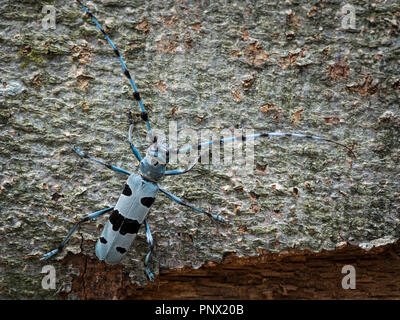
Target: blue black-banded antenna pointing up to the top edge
[[136, 94]]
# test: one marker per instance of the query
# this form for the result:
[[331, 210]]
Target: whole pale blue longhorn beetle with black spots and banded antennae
[[141, 188]]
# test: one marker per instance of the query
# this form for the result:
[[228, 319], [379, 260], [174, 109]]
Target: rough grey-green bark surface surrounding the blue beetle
[[284, 66]]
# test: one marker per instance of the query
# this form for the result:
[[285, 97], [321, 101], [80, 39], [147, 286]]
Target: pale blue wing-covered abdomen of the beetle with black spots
[[124, 222]]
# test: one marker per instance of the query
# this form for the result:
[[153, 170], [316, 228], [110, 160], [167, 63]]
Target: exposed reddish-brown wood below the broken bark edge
[[284, 275]]
